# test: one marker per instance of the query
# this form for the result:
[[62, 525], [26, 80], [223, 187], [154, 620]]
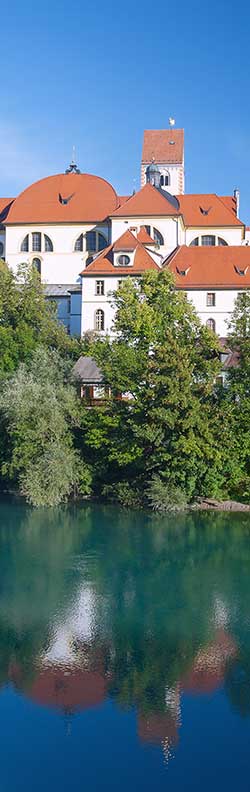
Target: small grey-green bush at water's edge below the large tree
[[163, 496]]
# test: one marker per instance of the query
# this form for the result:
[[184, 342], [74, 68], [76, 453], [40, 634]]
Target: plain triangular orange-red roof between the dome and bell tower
[[147, 202]]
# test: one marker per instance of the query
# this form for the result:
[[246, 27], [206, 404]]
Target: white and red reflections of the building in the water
[[76, 672]]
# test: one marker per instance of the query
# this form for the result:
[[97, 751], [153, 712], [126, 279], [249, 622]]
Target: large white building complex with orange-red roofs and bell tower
[[83, 238]]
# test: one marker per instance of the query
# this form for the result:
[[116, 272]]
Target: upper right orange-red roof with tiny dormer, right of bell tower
[[207, 210]]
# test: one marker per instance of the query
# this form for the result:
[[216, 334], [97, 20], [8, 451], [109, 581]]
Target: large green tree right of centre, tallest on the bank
[[167, 362]]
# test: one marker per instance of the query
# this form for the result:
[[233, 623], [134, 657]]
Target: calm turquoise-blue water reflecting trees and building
[[124, 650]]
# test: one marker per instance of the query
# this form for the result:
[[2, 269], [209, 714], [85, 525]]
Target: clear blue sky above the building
[[96, 75]]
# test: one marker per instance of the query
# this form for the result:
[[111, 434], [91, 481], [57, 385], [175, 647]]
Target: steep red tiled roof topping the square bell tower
[[157, 145]]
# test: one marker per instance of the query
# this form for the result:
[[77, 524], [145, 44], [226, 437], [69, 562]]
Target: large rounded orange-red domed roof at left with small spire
[[65, 198]]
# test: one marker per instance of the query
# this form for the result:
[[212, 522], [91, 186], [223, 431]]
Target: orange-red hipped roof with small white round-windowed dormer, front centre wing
[[103, 264]]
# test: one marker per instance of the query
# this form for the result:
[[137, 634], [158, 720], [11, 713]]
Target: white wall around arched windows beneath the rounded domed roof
[[64, 264]]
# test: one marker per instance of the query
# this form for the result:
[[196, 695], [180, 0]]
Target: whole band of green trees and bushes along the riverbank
[[177, 436]]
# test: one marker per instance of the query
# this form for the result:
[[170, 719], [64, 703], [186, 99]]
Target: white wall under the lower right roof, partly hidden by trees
[[221, 312]]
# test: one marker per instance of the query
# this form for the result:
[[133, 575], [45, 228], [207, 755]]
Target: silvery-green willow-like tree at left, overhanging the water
[[38, 415]]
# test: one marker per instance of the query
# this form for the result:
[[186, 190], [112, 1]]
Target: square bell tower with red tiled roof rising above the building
[[163, 149]]
